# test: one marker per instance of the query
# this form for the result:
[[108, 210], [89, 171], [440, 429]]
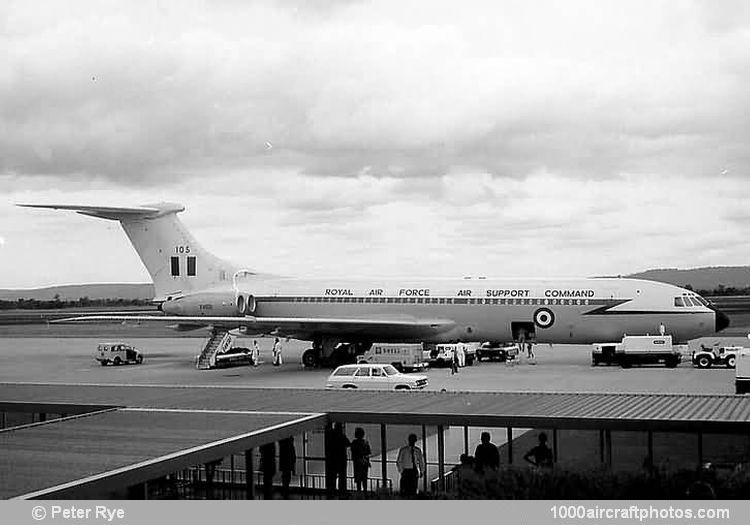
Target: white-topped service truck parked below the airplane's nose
[[637, 350]]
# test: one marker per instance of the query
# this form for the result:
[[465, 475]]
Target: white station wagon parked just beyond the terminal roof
[[374, 377]]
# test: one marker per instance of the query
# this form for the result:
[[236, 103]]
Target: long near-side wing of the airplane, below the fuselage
[[296, 327]]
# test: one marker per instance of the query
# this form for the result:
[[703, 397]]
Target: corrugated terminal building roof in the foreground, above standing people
[[182, 426]]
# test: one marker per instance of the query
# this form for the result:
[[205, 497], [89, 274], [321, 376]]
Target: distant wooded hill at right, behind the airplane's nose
[[708, 278]]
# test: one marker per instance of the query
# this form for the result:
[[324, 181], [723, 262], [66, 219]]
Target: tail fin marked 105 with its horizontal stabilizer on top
[[176, 262]]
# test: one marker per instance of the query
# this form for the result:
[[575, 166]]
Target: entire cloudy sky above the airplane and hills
[[422, 138]]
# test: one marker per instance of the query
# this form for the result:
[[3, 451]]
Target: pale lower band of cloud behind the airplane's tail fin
[[541, 225]]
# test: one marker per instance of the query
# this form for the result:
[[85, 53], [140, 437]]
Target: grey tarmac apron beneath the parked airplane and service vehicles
[[560, 368]]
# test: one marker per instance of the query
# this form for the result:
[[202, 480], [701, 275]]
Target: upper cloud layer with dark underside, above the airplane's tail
[[152, 92]]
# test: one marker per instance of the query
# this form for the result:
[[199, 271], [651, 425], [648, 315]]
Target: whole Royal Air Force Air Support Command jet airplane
[[195, 289]]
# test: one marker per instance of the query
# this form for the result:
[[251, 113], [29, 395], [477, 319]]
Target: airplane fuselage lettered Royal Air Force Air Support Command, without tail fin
[[546, 310]]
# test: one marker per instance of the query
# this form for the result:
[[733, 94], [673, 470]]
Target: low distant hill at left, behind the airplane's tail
[[74, 292]]
